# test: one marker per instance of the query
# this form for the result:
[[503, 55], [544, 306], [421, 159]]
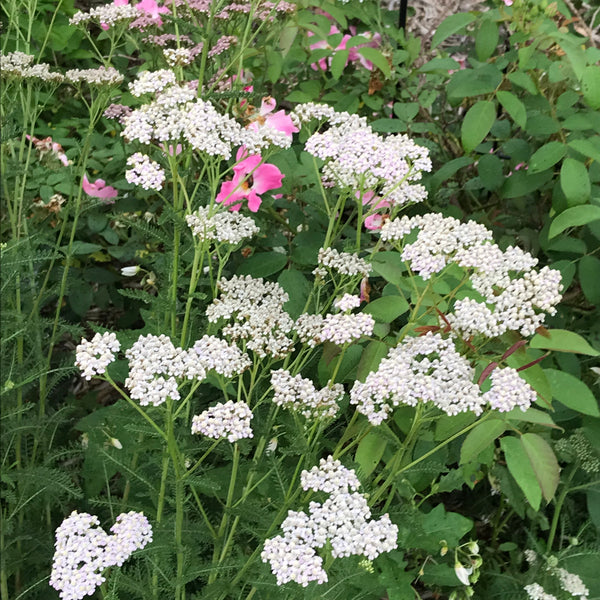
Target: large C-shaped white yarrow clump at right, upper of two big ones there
[[516, 297]]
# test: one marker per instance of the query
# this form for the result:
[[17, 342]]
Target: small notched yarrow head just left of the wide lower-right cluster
[[300, 395]]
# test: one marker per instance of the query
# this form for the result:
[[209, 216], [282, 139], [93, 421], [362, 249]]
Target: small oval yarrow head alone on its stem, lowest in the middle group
[[230, 420]]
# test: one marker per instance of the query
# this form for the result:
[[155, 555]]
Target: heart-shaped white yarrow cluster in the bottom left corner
[[84, 550]]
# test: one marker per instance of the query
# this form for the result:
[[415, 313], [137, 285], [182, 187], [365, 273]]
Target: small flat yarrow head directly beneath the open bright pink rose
[[223, 226]]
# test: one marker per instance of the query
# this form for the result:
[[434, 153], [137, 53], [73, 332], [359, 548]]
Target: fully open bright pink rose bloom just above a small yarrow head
[[250, 180]]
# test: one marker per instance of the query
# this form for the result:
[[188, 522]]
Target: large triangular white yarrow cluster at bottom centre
[[342, 522]]
